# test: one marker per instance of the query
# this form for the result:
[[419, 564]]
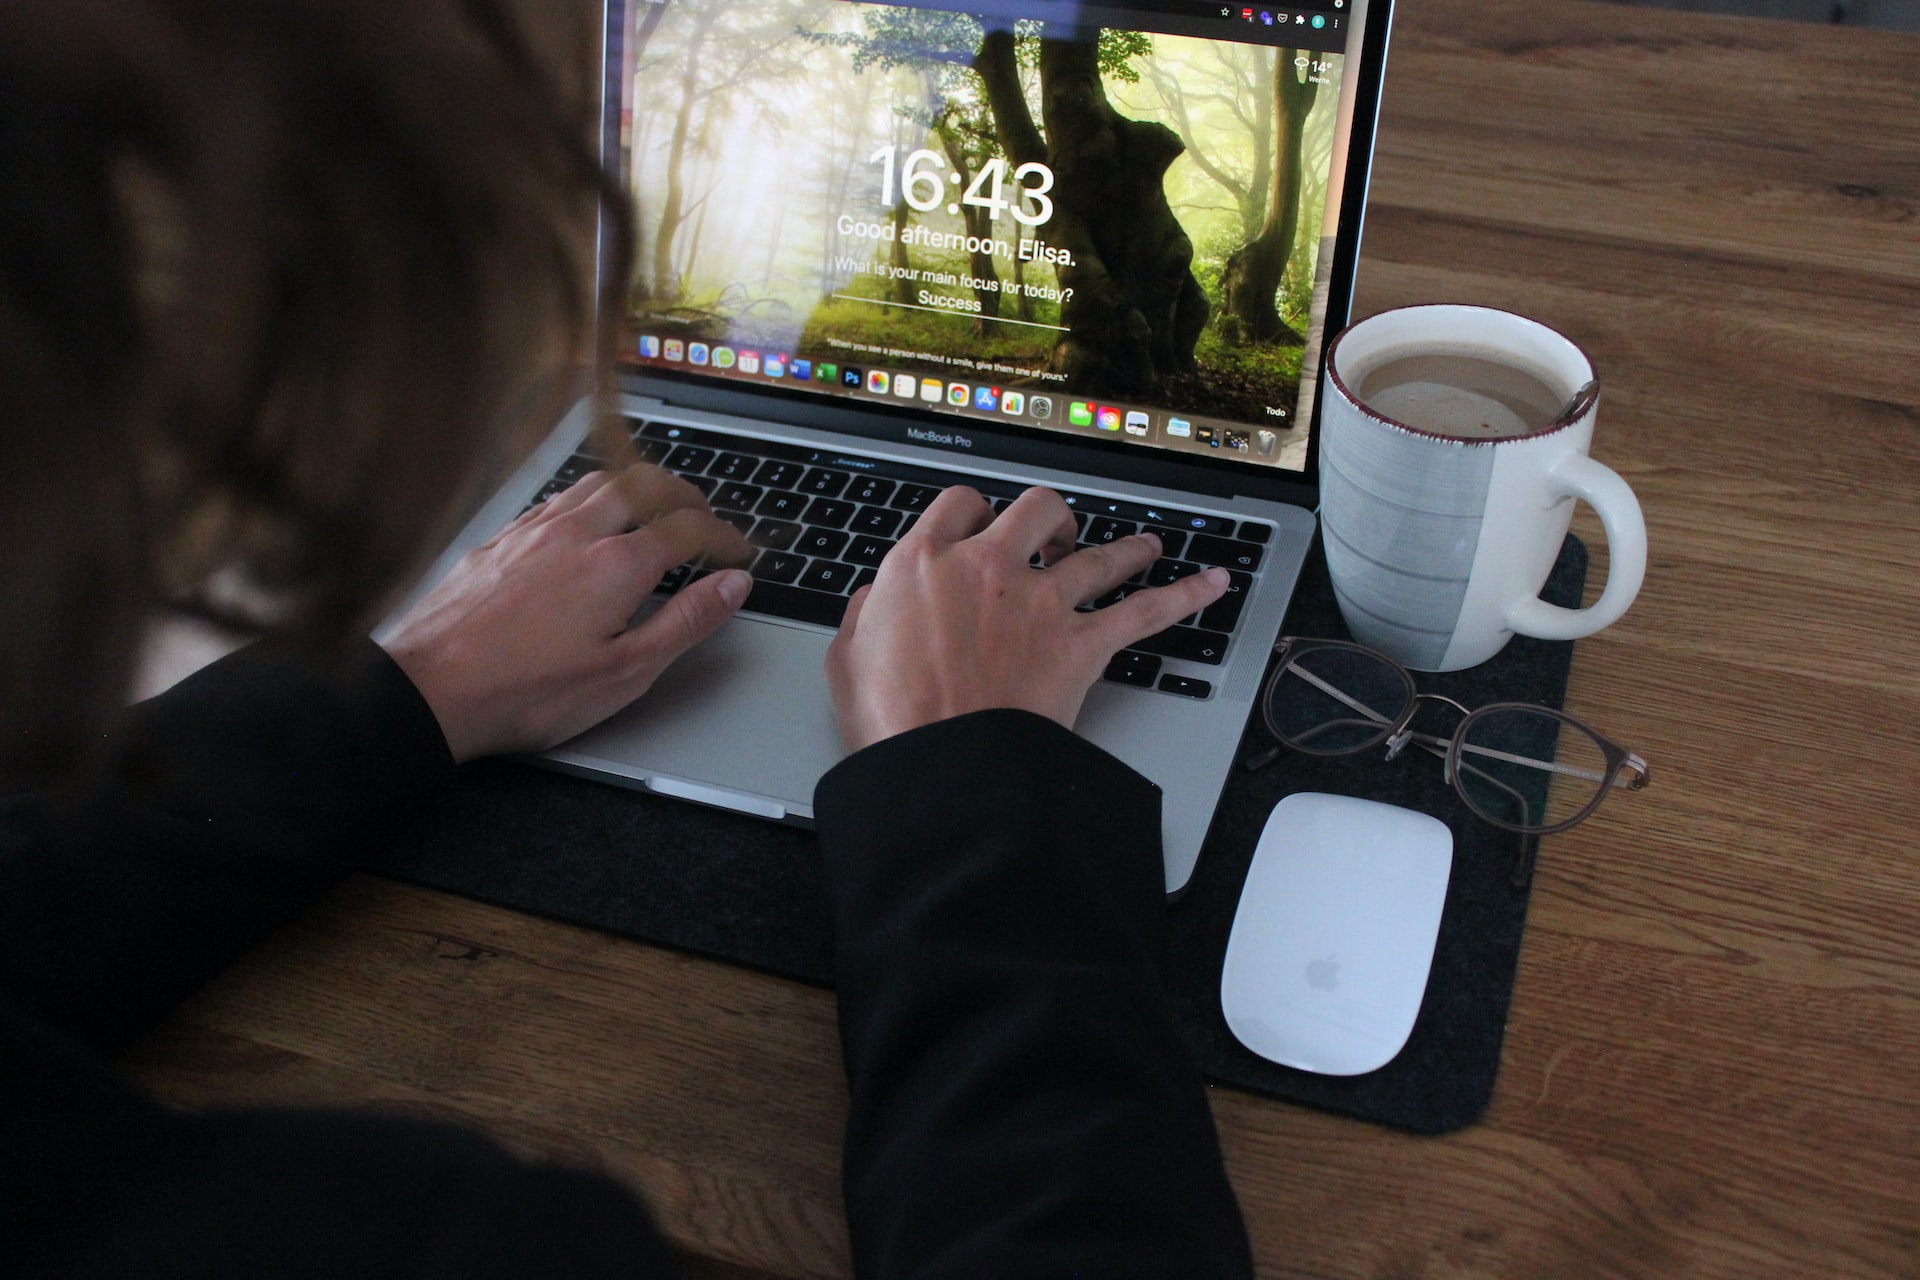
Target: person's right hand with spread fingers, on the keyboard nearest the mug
[[959, 621]]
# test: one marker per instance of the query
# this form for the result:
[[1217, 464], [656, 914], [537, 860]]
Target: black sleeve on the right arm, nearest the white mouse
[[1022, 1102]]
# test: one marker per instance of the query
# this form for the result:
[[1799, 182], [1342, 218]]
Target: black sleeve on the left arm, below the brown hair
[[241, 795]]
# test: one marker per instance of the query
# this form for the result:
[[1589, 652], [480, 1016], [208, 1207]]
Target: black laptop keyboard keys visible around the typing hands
[[823, 523]]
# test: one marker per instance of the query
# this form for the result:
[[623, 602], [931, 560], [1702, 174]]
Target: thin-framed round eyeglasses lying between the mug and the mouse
[[1522, 767]]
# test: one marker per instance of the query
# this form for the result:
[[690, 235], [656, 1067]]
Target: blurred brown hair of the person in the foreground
[[274, 273]]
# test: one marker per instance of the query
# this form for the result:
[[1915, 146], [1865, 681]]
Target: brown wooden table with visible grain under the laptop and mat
[[1714, 1064]]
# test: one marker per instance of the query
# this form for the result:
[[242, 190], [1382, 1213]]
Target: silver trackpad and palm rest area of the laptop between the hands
[[742, 721]]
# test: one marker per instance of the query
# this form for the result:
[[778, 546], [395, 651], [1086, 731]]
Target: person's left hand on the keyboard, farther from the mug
[[527, 642]]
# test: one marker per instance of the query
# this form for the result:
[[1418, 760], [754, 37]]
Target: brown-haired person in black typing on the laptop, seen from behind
[[277, 281]]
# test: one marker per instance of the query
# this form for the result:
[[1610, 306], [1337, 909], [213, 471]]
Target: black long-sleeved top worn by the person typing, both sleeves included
[[1020, 1102]]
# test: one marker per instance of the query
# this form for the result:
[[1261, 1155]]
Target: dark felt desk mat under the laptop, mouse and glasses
[[754, 893]]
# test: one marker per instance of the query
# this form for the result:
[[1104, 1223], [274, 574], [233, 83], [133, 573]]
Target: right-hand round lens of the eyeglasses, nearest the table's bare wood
[[1500, 769]]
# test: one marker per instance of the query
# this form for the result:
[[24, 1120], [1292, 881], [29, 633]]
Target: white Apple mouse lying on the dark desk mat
[[1335, 932]]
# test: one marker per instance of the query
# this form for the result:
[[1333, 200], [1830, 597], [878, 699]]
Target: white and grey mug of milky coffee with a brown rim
[[1454, 442]]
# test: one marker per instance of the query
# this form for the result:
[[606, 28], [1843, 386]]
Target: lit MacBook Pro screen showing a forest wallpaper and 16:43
[[1115, 224]]
